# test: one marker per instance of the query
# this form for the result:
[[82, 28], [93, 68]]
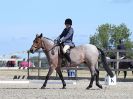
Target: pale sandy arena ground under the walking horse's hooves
[[123, 90]]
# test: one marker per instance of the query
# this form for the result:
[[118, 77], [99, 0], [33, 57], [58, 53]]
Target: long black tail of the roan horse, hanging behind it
[[104, 62]]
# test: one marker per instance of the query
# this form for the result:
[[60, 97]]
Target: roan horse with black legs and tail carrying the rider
[[87, 54]]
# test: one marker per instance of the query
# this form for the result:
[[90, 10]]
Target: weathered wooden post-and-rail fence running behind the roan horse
[[117, 60]]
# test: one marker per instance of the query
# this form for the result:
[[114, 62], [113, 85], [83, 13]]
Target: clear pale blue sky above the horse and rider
[[21, 20]]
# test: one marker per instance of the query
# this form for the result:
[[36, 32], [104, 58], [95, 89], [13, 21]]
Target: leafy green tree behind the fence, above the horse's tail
[[107, 36]]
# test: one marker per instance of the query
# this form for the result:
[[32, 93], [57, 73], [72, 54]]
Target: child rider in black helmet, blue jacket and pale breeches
[[66, 38]]
